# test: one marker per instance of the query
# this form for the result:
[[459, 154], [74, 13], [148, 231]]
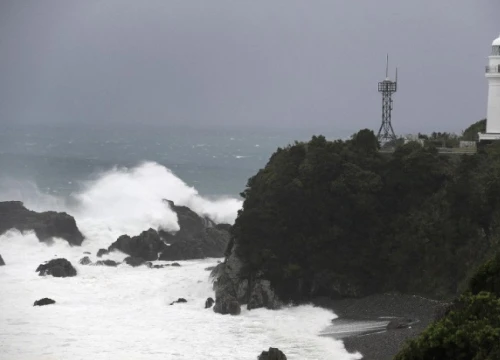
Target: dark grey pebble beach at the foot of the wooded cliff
[[377, 342]]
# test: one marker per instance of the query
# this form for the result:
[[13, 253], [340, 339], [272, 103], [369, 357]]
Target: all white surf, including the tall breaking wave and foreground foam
[[124, 312]]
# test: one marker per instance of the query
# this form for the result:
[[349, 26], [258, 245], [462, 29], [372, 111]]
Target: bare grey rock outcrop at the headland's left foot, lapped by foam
[[232, 287]]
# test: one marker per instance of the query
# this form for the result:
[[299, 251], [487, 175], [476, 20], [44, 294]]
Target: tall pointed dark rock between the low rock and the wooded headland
[[198, 237]]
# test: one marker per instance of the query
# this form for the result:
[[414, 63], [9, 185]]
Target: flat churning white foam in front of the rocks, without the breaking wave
[[124, 312]]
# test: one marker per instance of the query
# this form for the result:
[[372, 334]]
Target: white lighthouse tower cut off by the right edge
[[493, 76]]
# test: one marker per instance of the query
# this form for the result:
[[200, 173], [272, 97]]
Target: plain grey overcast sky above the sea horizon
[[283, 63]]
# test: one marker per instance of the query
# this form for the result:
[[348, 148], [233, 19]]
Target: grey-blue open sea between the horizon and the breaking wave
[[216, 161]]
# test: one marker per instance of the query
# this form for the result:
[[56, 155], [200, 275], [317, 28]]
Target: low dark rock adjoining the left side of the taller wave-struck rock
[[147, 245]]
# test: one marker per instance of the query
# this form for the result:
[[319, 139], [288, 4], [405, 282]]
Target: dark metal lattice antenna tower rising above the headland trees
[[387, 88]]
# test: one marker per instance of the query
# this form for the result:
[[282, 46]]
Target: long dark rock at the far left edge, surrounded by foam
[[46, 225]]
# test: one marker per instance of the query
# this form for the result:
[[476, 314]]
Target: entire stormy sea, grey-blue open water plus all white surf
[[113, 181]]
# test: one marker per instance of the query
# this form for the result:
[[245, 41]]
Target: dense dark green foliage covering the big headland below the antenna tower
[[341, 219]]
